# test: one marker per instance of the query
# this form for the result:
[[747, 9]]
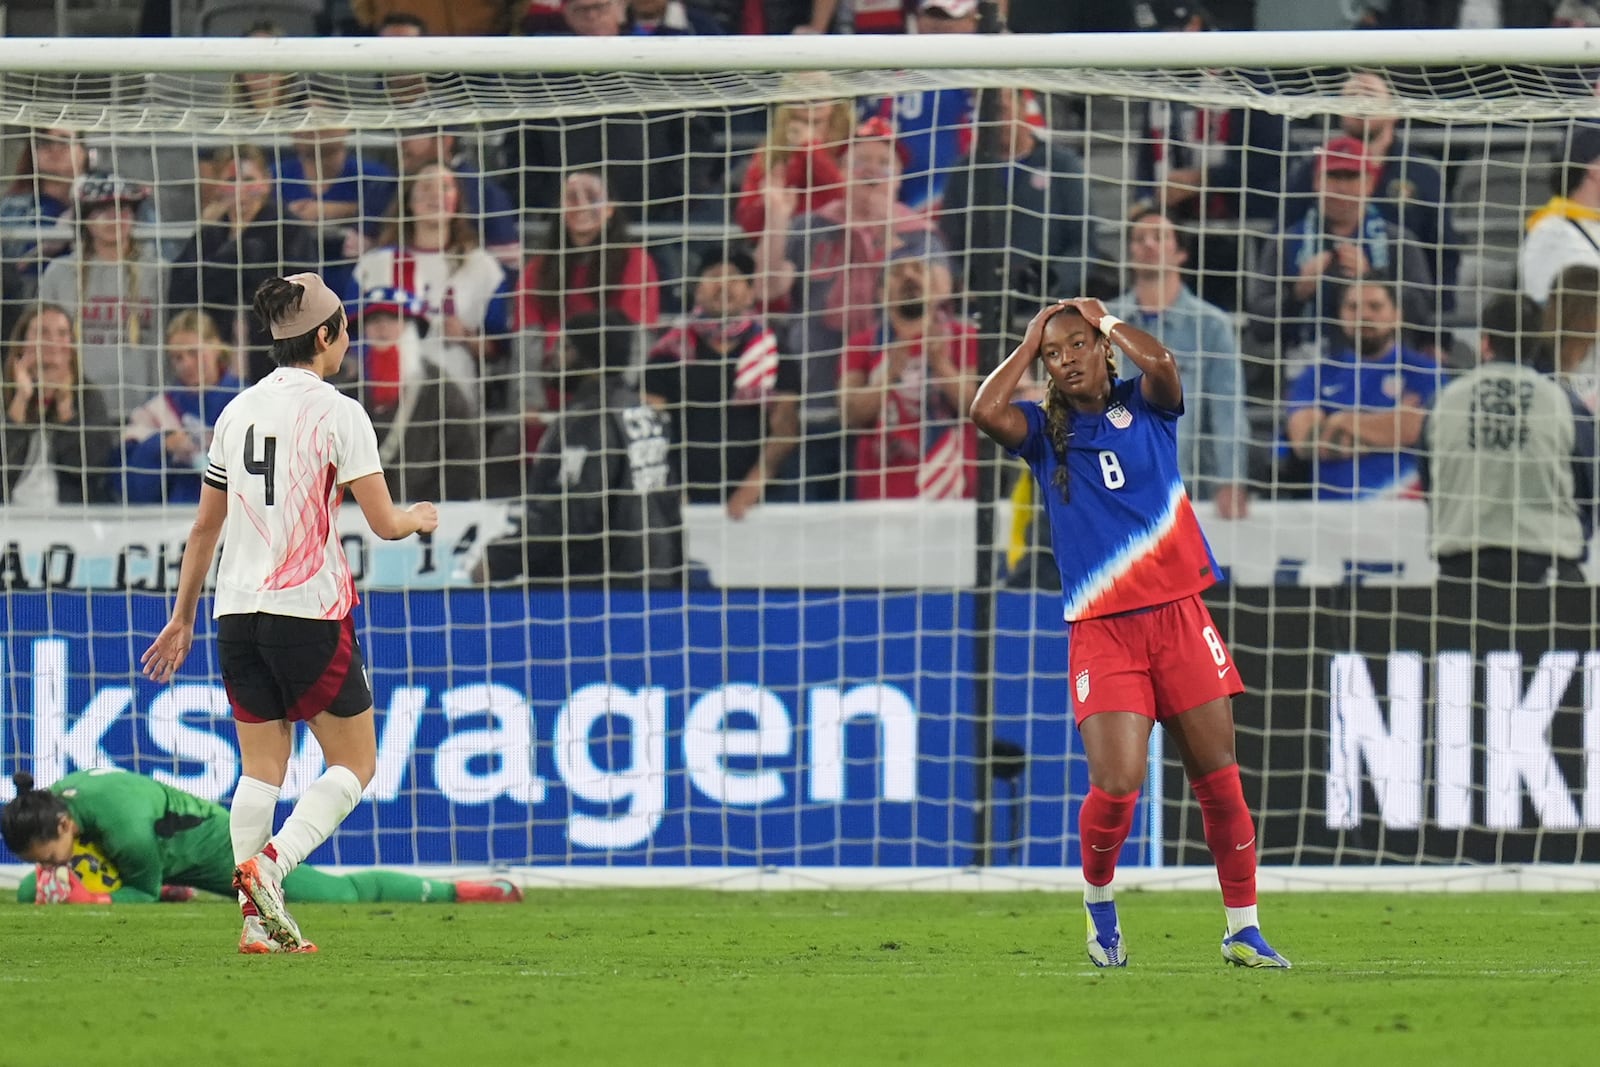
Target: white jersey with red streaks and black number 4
[[282, 452]]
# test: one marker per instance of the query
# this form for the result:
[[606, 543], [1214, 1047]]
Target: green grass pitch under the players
[[810, 978]]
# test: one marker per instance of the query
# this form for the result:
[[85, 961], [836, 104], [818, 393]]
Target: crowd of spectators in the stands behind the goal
[[809, 327]]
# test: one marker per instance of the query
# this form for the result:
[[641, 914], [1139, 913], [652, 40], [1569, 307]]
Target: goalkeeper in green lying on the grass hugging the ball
[[110, 836]]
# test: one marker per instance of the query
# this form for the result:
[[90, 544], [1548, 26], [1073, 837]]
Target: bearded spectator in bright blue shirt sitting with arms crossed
[[1356, 418]]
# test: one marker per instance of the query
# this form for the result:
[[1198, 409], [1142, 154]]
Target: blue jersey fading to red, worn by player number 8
[[1127, 538]]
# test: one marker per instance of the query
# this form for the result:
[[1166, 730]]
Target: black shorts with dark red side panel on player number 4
[[279, 666]]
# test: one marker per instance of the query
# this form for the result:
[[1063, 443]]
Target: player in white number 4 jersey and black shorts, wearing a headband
[[282, 455]]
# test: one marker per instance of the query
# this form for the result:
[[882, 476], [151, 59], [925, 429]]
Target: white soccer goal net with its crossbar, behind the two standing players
[[682, 334]]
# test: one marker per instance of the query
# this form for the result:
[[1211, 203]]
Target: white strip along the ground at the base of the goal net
[[1506, 879]]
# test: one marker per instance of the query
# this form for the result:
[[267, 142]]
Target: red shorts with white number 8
[[1158, 663]]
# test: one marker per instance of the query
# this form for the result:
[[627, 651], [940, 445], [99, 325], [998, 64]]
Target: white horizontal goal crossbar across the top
[[666, 55]]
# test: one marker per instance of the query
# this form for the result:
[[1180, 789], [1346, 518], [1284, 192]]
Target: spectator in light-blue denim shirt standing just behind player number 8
[[1214, 441]]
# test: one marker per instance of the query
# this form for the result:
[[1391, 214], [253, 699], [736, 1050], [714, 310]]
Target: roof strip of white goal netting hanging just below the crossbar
[[215, 103]]
